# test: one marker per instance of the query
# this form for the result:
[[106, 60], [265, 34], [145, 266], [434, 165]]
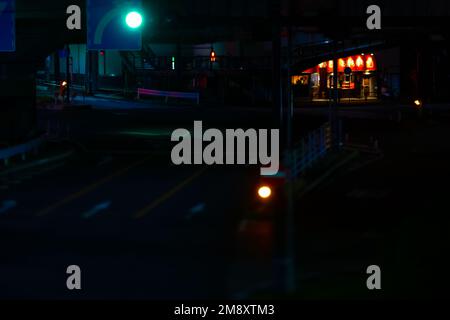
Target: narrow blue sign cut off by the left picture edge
[[8, 25]]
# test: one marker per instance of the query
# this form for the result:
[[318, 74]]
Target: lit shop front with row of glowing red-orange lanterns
[[360, 81]]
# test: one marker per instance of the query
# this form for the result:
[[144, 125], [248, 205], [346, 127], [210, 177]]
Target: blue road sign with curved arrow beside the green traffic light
[[107, 27]]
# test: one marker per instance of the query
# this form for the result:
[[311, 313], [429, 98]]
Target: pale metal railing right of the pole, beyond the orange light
[[311, 148]]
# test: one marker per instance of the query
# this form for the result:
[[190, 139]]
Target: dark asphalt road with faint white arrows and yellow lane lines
[[138, 226]]
